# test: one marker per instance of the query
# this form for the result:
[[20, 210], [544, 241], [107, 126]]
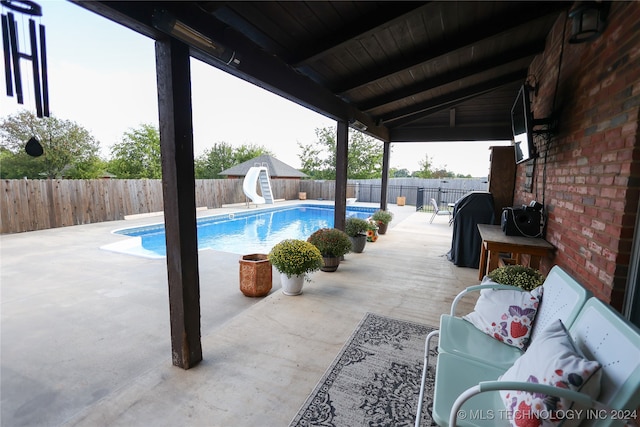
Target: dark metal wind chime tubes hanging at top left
[[13, 55]]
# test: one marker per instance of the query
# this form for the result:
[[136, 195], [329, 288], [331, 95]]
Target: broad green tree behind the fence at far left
[[69, 149]]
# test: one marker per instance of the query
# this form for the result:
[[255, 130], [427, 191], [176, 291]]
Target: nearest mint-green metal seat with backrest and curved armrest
[[598, 332]]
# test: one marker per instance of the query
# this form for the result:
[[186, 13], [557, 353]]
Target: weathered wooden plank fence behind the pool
[[29, 205]]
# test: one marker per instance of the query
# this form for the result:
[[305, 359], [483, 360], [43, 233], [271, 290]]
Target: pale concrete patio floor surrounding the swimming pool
[[85, 332]]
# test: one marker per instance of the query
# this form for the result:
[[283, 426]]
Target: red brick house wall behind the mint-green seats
[[587, 173]]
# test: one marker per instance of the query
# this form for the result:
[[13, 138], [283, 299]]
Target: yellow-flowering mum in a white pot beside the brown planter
[[294, 259]]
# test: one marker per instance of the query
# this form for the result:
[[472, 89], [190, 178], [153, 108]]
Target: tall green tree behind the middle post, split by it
[[364, 158]]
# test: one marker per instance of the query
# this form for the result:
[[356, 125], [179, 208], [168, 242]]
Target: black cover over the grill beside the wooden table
[[469, 211]]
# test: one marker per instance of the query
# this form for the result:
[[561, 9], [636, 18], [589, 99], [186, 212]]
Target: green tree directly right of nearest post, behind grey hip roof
[[223, 156]]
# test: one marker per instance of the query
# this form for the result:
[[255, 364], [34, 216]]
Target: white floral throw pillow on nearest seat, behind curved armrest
[[551, 359]]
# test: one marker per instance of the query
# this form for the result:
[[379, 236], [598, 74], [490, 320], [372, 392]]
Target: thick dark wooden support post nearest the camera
[[178, 188]]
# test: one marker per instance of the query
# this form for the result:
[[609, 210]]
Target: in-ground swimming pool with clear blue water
[[241, 232]]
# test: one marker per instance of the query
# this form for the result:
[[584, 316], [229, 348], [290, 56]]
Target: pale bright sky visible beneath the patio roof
[[102, 76]]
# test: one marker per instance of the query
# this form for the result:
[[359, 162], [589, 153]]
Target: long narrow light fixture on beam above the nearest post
[[167, 23]]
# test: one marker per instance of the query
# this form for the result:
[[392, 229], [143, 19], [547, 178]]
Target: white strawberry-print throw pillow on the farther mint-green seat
[[506, 315]]
